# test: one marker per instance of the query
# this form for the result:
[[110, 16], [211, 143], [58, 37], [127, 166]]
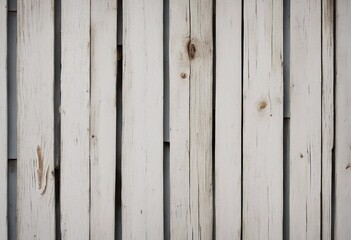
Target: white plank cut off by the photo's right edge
[[342, 228]]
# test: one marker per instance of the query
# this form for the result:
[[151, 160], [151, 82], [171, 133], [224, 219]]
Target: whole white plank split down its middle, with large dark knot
[[191, 119]]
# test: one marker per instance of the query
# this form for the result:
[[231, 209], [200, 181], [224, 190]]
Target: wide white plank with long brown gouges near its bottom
[[35, 120]]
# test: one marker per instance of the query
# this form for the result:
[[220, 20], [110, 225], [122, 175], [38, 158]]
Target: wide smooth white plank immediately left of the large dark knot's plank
[[142, 130]]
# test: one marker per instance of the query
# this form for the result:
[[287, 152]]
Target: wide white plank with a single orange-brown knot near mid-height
[[263, 120]]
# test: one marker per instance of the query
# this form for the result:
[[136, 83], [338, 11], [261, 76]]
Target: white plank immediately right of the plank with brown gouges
[[75, 106]]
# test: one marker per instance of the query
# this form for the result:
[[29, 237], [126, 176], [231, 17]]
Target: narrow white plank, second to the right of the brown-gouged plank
[[103, 118]]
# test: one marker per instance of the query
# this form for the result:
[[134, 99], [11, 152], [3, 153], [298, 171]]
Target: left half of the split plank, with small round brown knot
[[179, 90]]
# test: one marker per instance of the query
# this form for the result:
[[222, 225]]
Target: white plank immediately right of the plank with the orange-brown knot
[[305, 123]]
